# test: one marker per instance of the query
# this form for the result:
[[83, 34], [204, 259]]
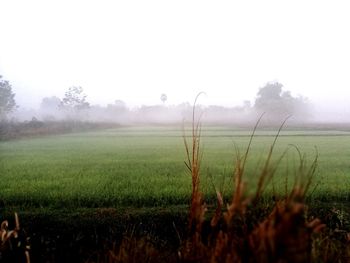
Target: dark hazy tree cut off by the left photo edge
[[7, 98]]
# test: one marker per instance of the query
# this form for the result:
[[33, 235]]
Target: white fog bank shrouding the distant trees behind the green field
[[273, 100]]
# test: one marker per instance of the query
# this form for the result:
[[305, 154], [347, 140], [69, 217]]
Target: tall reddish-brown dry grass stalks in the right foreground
[[284, 236]]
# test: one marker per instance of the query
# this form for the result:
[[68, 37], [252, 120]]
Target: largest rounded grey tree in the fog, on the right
[[279, 104]]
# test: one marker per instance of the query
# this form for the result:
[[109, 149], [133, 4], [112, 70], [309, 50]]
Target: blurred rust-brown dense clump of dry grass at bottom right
[[285, 234]]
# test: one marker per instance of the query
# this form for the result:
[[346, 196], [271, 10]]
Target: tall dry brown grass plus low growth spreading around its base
[[237, 231]]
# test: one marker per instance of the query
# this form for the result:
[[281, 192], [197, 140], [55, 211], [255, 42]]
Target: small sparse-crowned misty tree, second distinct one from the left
[[74, 101]]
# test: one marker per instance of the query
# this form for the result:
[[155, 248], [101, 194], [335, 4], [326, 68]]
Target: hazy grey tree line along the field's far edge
[[271, 99]]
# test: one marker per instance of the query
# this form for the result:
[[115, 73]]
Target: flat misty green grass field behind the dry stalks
[[144, 166]]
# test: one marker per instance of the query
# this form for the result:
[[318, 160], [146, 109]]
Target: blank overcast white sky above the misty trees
[[136, 50]]
